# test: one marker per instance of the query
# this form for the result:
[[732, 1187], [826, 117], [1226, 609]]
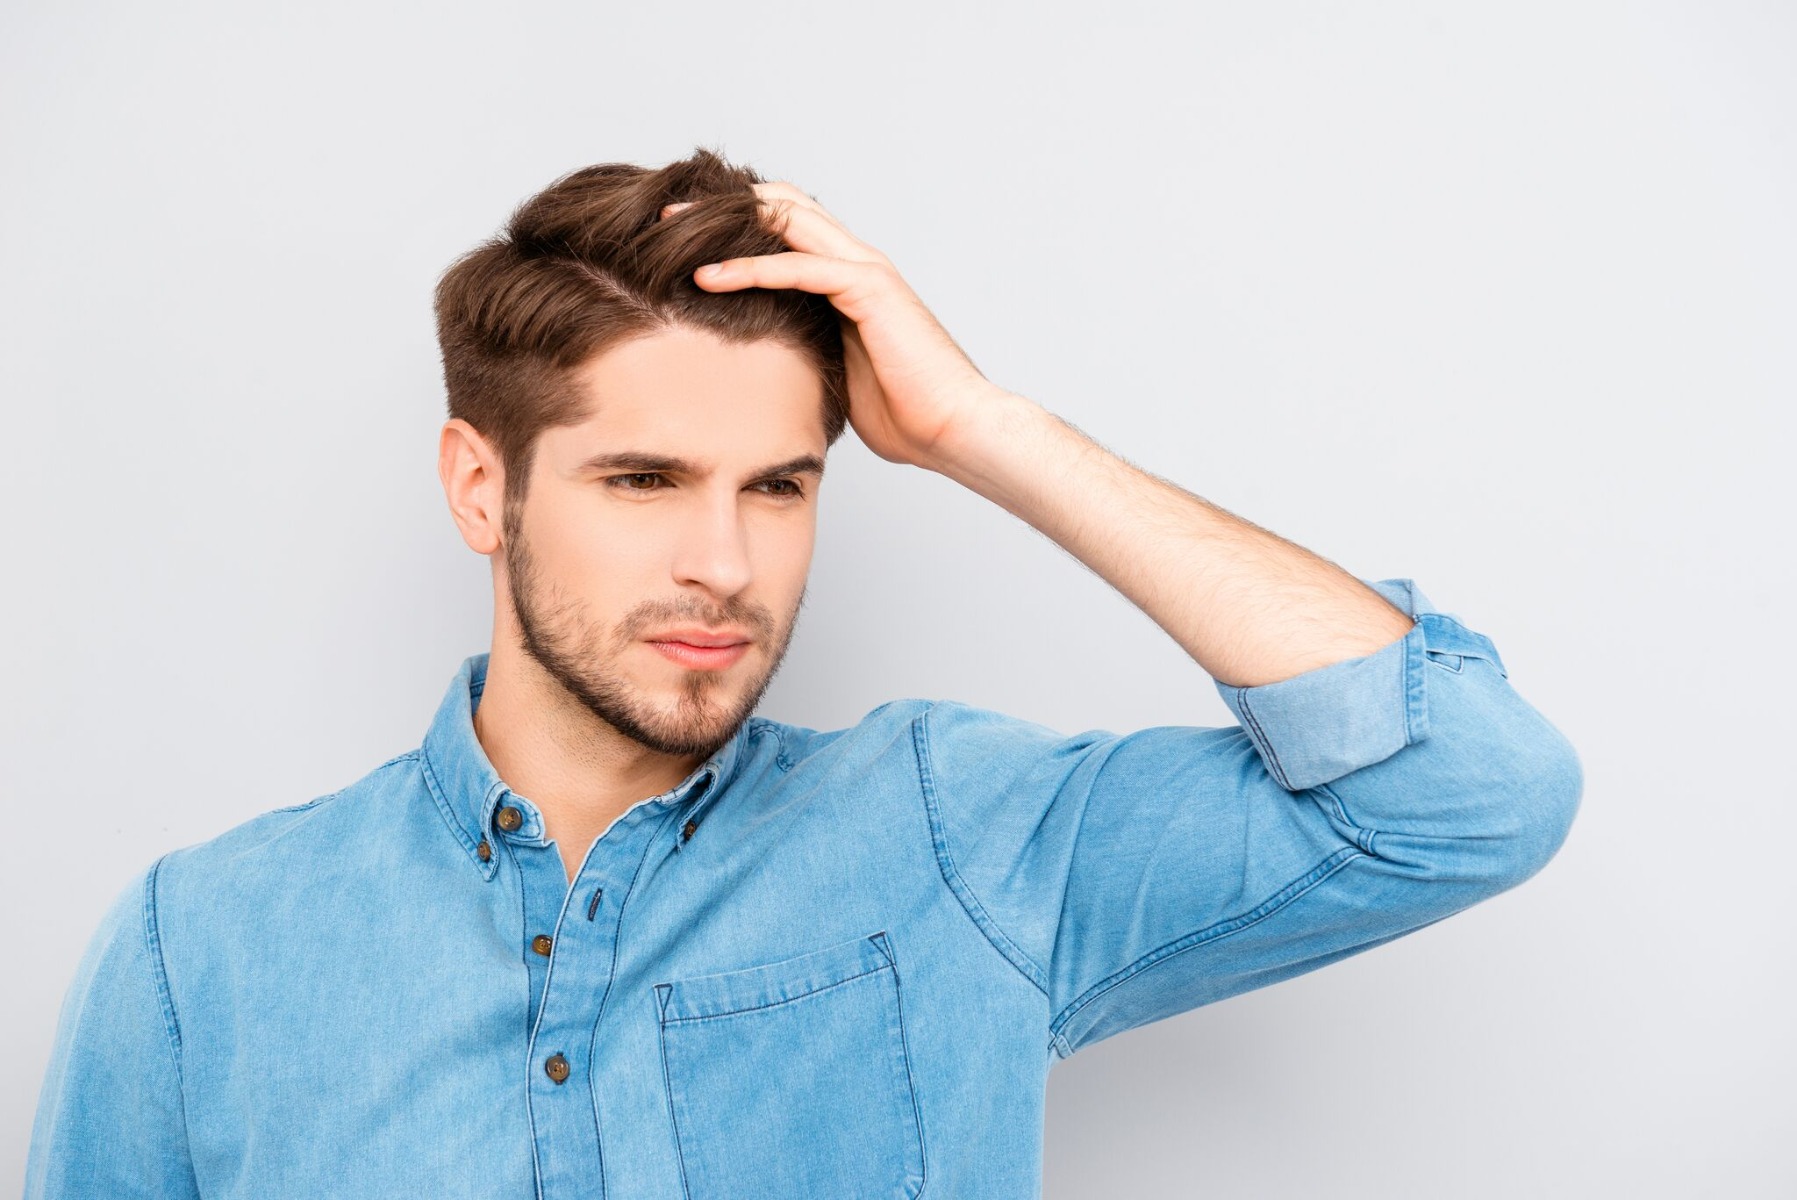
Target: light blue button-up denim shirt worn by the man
[[828, 964]]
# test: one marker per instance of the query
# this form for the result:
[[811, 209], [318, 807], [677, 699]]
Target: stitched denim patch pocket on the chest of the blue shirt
[[793, 1079]]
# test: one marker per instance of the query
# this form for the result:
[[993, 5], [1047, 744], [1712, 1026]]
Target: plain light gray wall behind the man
[[1498, 297]]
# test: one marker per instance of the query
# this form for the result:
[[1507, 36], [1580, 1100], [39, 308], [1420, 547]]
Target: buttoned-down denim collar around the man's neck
[[470, 791]]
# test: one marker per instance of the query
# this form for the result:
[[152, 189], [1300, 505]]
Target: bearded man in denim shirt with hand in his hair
[[606, 933]]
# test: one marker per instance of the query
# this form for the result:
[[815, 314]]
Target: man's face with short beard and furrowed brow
[[605, 558]]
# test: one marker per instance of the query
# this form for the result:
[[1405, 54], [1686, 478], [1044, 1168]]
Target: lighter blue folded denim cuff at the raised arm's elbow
[[1325, 723]]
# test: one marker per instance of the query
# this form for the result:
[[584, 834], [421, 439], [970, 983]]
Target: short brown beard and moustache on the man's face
[[589, 662]]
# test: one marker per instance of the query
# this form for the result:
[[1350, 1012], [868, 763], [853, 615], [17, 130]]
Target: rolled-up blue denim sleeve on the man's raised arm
[[1140, 876]]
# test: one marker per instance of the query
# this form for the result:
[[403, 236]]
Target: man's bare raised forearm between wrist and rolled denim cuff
[[1250, 606]]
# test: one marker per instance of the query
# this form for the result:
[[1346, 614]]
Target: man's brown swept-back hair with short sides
[[587, 265]]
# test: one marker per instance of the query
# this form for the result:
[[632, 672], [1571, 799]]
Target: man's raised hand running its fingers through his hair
[[908, 380]]
